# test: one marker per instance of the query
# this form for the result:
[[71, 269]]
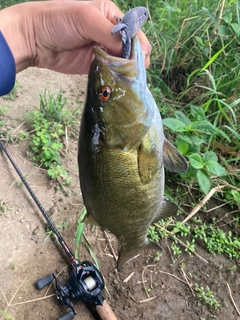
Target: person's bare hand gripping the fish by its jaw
[[59, 35]]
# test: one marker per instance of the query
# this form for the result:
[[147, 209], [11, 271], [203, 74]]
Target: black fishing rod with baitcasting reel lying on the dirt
[[85, 282]]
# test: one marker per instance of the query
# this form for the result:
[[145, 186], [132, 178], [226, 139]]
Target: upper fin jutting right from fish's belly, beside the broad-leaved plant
[[172, 158]]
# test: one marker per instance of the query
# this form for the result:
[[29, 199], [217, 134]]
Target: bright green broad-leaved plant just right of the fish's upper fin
[[191, 141]]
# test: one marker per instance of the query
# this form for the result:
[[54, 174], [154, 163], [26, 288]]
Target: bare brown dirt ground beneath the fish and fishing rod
[[27, 253]]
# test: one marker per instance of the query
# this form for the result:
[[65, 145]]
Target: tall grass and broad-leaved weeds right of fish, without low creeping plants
[[195, 66]]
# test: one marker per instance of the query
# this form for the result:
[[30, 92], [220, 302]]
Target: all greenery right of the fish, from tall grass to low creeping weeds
[[194, 77]]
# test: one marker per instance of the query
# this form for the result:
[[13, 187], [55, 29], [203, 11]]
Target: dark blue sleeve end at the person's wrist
[[7, 67]]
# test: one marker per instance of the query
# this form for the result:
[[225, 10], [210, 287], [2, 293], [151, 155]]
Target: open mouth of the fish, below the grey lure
[[126, 67]]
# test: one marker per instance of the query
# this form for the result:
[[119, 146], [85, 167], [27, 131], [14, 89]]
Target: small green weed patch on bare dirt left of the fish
[[49, 123]]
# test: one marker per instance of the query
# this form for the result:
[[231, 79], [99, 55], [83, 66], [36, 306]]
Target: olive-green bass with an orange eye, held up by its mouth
[[123, 151]]
